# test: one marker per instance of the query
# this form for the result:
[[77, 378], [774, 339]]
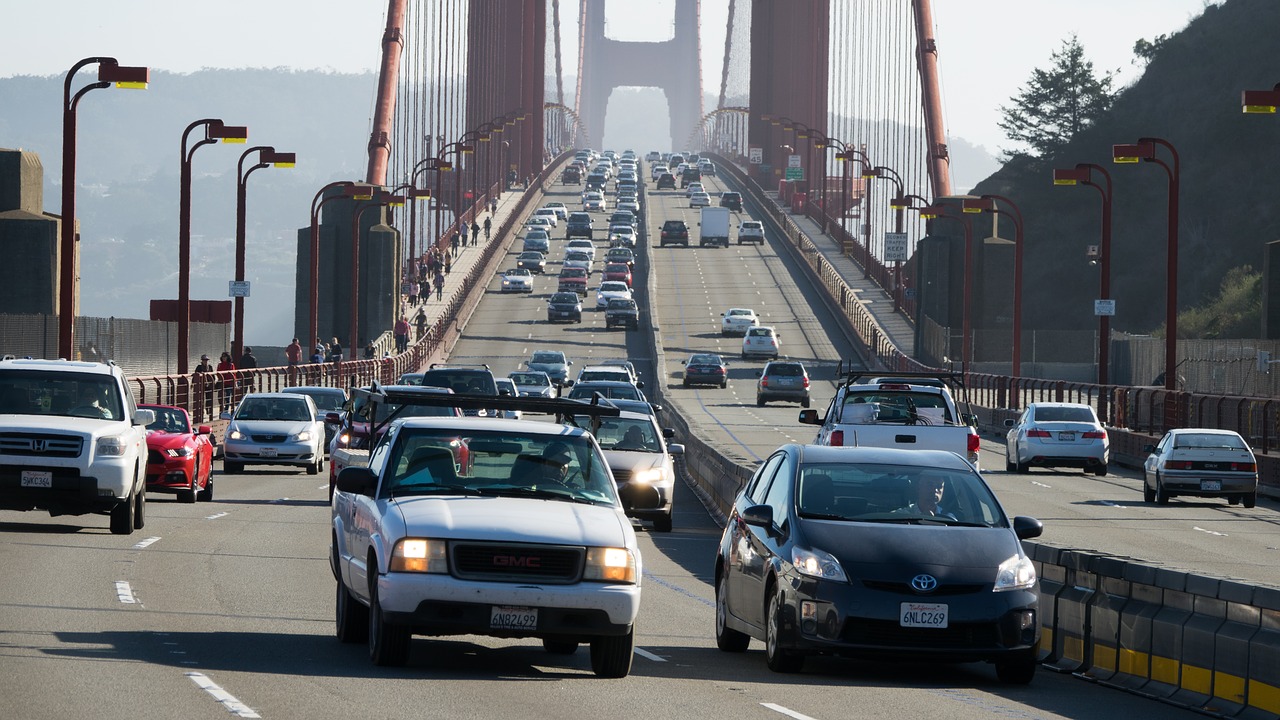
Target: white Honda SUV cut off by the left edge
[[72, 441]]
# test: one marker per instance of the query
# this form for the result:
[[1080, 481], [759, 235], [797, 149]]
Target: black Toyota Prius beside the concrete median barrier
[[876, 554]]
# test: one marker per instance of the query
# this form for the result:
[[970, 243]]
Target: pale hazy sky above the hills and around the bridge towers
[[993, 43]]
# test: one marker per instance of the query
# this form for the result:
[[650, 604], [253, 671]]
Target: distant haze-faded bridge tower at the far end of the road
[[674, 66]]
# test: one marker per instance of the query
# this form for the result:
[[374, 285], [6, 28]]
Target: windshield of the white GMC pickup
[[550, 467]]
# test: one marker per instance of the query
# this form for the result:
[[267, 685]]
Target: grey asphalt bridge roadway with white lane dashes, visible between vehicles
[[239, 594]]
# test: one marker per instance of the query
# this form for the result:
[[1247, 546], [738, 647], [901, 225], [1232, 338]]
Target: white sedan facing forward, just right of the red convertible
[[275, 429]]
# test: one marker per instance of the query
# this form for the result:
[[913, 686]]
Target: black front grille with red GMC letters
[[508, 563]]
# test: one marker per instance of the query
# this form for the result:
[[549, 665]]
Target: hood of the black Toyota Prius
[[897, 553]]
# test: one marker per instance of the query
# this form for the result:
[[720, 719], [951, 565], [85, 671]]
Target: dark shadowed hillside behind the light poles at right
[[1191, 97]]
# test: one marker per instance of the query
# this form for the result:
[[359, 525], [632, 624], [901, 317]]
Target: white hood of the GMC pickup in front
[[515, 520]]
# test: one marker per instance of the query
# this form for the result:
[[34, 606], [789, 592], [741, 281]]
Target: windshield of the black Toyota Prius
[[897, 494]]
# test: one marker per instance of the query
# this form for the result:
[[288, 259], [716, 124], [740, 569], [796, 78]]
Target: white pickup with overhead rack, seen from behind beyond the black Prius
[[906, 411]]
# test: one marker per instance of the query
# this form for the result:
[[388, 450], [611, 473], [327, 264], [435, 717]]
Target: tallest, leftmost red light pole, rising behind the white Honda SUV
[[108, 72]]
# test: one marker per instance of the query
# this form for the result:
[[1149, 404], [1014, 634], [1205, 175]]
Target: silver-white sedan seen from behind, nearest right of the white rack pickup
[[1057, 435]]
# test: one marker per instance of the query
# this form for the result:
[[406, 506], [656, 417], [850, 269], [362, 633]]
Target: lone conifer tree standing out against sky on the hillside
[[1057, 104]]
